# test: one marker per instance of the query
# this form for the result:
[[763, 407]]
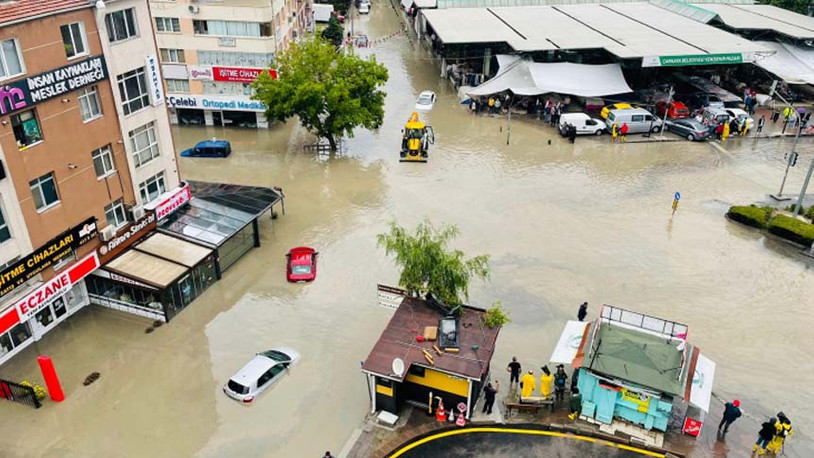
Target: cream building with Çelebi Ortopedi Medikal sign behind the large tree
[[211, 50]]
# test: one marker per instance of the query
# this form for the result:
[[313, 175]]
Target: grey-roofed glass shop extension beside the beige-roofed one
[[223, 217]]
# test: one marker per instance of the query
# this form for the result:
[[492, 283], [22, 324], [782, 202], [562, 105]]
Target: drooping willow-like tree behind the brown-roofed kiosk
[[428, 266]]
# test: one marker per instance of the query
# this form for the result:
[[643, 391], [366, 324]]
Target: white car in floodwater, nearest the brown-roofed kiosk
[[262, 371]]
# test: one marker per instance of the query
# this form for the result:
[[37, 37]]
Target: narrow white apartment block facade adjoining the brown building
[[128, 41]]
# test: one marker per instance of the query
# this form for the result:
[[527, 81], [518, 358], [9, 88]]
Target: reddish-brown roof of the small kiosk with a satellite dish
[[408, 321]]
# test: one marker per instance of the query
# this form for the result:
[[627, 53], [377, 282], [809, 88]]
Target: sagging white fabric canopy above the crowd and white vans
[[524, 77]]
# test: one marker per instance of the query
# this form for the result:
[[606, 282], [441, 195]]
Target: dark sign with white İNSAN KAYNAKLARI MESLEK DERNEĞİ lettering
[[53, 83]]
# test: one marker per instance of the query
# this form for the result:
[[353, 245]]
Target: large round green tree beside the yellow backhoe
[[332, 93]]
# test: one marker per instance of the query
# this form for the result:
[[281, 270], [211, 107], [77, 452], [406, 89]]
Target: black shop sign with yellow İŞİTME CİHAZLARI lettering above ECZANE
[[43, 257]]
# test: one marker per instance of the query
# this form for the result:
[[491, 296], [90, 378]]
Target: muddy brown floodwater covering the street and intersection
[[562, 223]]
